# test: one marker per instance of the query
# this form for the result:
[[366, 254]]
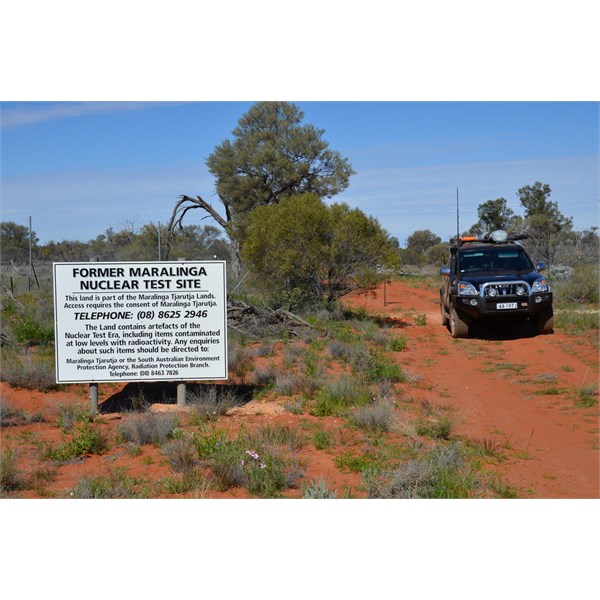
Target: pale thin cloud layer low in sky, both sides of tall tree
[[82, 204]]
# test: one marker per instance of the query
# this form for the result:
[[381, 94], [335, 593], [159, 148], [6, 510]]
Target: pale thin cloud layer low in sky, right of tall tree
[[407, 199]]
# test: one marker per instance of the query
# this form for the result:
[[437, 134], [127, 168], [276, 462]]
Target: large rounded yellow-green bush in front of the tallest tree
[[323, 251]]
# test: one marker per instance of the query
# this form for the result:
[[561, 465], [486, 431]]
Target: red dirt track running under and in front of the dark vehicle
[[506, 386]]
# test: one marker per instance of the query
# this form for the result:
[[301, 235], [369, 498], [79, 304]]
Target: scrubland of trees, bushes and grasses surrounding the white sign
[[314, 379]]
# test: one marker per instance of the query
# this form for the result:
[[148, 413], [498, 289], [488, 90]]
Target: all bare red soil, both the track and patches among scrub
[[508, 389]]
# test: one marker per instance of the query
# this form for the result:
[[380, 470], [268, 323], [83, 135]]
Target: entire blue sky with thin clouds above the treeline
[[77, 168]]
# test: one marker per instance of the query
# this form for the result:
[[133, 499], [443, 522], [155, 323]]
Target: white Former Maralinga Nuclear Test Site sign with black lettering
[[140, 321]]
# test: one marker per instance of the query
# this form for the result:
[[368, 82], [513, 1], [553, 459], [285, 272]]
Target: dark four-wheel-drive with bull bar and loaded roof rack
[[492, 279]]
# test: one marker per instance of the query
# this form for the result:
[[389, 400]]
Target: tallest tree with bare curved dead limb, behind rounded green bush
[[272, 155]]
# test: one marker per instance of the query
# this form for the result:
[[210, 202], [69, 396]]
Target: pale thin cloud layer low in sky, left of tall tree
[[80, 205]]
